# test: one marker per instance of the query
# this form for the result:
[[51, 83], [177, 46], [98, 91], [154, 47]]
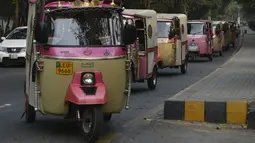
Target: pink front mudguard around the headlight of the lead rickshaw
[[76, 95]]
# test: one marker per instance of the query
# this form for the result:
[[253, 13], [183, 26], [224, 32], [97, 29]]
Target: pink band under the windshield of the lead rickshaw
[[83, 51]]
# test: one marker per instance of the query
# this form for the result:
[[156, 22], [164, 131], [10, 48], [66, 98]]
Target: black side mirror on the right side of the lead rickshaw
[[129, 34]]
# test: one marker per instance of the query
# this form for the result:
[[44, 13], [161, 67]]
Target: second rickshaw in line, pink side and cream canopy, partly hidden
[[144, 50]]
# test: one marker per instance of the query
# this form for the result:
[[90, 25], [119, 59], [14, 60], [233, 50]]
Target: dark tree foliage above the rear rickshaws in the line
[[195, 9]]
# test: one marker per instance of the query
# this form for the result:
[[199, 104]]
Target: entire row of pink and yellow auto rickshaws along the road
[[83, 56]]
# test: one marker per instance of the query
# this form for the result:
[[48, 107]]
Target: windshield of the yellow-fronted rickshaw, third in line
[[164, 29]]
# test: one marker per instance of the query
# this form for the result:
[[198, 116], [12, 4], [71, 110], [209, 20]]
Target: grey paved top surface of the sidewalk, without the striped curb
[[235, 80]]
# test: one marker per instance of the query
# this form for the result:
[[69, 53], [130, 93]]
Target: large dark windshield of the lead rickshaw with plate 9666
[[93, 28]]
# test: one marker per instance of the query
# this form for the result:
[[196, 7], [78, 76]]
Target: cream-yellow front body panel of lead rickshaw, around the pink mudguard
[[52, 98]]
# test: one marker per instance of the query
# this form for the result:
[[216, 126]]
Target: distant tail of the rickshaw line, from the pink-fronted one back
[[206, 37]]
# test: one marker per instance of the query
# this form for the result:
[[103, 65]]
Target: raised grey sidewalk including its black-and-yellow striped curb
[[224, 96]]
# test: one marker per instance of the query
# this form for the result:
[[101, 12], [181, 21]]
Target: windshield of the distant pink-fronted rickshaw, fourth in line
[[196, 28]]
